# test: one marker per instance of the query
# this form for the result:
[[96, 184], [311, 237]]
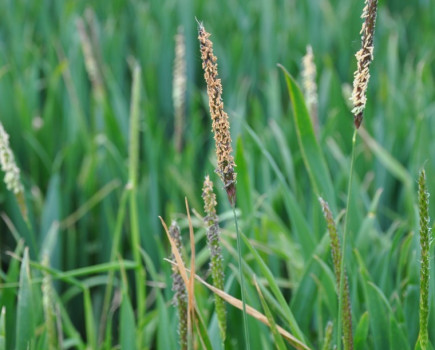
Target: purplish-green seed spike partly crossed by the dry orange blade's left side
[[179, 289]]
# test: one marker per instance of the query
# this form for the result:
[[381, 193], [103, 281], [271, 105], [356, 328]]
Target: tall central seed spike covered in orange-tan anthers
[[220, 125]]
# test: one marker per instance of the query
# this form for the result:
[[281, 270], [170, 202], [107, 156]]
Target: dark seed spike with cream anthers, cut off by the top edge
[[364, 57]]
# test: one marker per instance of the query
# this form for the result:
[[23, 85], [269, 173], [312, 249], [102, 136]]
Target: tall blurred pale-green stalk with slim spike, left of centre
[[140, 273]]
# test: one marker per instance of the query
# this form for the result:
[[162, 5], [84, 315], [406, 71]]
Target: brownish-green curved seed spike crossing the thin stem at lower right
[[336, 258]]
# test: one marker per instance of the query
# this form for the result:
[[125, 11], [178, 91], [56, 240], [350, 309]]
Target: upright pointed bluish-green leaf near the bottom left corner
[[25, 327]]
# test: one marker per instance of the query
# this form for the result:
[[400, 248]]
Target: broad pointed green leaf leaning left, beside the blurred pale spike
[[311, 152]]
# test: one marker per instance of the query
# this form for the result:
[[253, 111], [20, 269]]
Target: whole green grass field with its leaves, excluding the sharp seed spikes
[[86, 91]]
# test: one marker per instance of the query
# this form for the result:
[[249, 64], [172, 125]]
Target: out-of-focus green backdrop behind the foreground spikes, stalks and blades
[[70, 137]]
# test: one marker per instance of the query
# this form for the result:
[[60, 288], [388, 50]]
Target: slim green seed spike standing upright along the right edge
[[425, 240]]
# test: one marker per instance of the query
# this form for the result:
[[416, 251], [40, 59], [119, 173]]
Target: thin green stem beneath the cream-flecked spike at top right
[[343, 248]]
